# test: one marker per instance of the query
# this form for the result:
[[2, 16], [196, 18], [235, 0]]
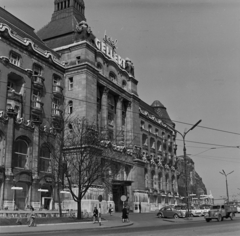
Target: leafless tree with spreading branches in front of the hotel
[[85, 158]]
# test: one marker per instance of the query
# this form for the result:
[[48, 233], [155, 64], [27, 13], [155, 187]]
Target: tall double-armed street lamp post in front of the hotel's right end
[[185, 156]]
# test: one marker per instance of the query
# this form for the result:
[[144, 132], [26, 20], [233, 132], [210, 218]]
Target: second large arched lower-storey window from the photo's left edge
[[20, 153]]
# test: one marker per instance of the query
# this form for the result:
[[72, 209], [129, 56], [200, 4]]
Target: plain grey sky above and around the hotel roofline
[[186, 54]]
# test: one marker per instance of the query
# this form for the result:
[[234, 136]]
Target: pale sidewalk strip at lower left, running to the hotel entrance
[[114, 221]]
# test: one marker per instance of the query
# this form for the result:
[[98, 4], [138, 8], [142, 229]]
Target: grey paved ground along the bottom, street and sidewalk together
[[140, 224]]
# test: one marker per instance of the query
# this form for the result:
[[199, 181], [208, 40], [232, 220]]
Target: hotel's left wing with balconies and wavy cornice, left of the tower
[[31, 87]]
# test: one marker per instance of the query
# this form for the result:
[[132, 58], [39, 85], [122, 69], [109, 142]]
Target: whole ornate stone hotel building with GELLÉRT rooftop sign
[[66, 65]]
